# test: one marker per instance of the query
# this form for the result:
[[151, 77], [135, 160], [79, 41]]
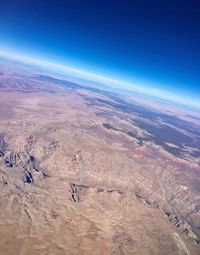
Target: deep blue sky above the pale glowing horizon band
[[152, 41]]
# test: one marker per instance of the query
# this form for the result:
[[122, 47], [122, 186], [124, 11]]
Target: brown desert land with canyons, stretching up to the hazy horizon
[[84, 170]]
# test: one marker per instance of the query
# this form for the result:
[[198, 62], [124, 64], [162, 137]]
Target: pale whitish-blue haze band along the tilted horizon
[[66, 70]]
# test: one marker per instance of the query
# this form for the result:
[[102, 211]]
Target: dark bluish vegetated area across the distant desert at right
[[159, 134]]
